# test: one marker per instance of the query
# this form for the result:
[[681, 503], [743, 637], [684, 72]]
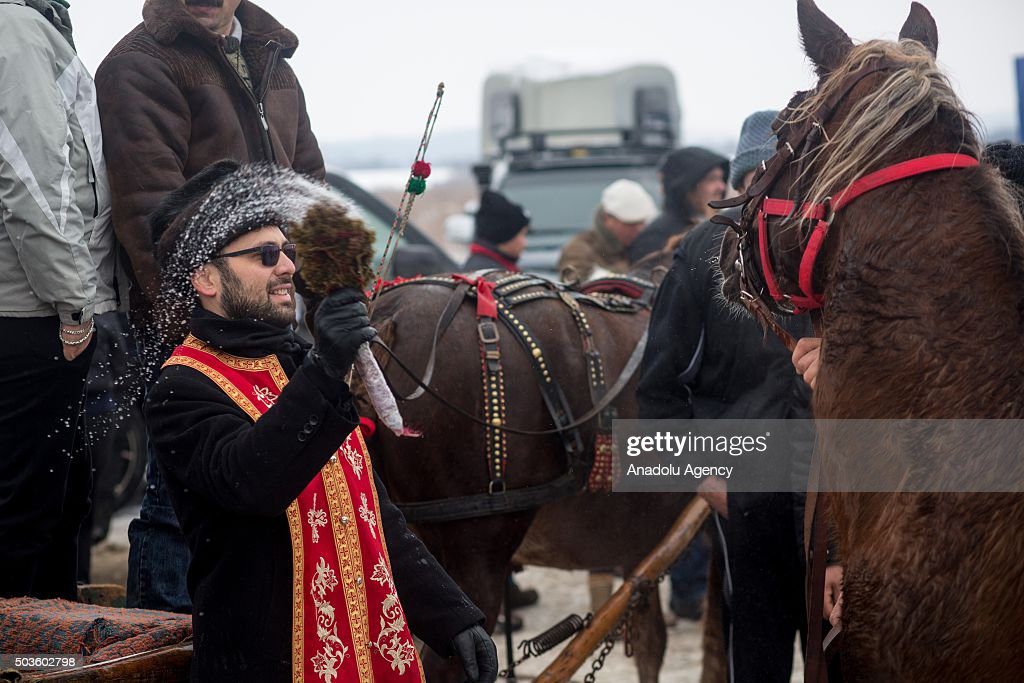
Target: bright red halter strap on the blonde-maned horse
[[825, 214]]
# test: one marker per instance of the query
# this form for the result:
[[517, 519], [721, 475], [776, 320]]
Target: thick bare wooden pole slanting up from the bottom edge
[[653, 567]]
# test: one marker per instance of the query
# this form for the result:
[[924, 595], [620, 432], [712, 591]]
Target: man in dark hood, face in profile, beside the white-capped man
[[691, 179]]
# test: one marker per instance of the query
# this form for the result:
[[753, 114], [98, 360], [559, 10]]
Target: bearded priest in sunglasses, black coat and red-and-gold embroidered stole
[[247, 423]]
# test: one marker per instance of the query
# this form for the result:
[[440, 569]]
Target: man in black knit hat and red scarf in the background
[[499, 236]]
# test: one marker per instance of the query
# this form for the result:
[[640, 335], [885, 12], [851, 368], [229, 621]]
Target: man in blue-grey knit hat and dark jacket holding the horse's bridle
[[706, 362]]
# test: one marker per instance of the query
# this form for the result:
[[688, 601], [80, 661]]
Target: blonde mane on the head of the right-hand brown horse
[[909, 101]]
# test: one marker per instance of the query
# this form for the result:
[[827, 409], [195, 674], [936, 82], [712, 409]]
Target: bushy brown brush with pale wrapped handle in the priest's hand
[[336, 251]]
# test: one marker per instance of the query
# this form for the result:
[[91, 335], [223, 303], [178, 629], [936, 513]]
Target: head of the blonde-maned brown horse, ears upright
[[876, 104]]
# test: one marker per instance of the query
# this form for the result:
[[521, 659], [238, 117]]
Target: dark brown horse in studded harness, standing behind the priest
[[582, 532]]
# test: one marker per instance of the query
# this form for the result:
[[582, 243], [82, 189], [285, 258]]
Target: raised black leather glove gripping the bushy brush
[[342, 326]]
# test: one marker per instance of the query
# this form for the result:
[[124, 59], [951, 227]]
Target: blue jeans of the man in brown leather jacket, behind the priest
[[158, 557]]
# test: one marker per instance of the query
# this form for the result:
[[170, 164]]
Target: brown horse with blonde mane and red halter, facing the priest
[[922, 286]]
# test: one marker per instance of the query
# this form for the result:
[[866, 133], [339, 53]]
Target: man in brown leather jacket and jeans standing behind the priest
[[196, 82]]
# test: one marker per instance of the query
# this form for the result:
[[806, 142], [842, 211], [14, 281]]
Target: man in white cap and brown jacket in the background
[[625, 210]]
